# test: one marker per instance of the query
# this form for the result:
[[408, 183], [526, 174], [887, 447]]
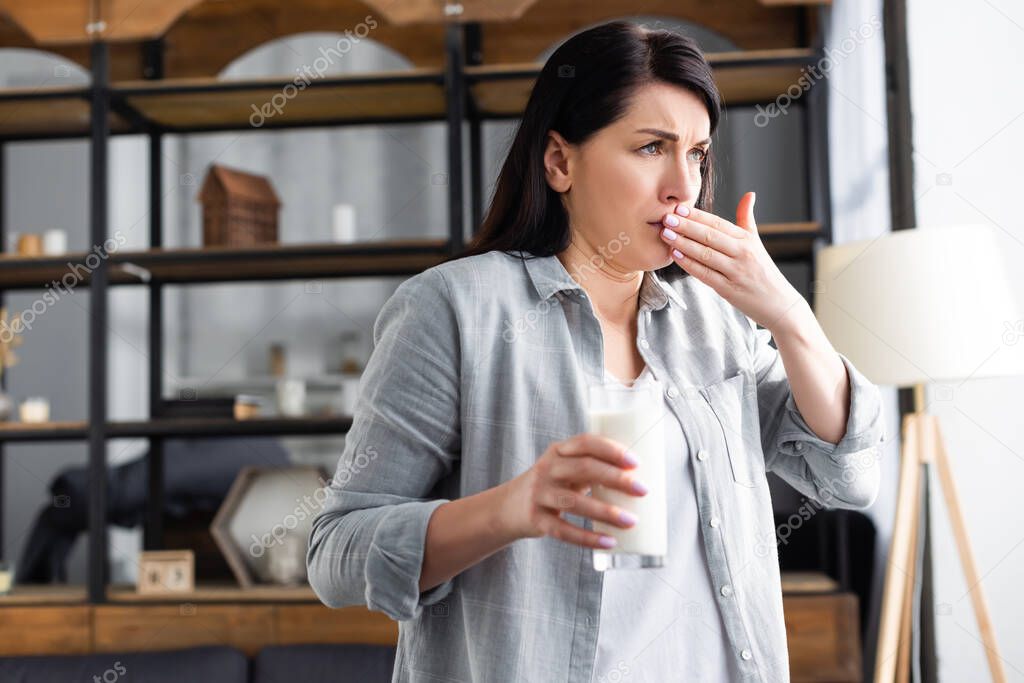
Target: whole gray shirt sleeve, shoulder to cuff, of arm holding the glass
[[367, 543]]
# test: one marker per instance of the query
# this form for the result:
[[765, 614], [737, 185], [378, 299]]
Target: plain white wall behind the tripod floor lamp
[[968, 105]]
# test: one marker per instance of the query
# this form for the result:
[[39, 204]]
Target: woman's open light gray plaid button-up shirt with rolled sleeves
[[479, 365]]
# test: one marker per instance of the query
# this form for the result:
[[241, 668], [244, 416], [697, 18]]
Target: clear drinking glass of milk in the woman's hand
[[633, 416]]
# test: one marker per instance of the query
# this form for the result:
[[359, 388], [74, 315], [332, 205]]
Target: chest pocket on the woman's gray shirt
[[733, 402]]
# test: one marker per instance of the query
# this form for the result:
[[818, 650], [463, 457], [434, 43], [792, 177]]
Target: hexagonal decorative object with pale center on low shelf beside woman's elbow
[[264, 526]]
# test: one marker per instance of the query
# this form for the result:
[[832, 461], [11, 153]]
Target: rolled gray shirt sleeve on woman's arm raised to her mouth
[[837, 476]]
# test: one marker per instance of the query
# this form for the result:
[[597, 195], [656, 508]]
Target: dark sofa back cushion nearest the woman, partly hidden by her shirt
[[327, 664]]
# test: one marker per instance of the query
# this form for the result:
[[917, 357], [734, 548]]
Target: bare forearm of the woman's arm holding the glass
[[462, 533]]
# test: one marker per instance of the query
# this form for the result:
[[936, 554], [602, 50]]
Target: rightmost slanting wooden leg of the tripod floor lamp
[[967, 558]]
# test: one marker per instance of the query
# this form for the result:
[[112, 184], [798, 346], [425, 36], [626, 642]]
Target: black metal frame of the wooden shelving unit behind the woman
[[462, 49]]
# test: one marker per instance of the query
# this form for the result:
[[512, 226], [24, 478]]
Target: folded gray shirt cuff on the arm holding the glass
[[395, 563]]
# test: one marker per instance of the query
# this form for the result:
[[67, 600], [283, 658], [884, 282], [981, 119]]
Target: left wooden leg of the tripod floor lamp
[[898, 567]]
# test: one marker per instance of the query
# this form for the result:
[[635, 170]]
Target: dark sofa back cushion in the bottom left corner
[[225, 665]]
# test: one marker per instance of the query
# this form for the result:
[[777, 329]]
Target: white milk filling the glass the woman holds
[[644, 434]]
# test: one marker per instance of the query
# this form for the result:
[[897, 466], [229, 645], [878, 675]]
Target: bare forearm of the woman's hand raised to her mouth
[[817, 374]]
